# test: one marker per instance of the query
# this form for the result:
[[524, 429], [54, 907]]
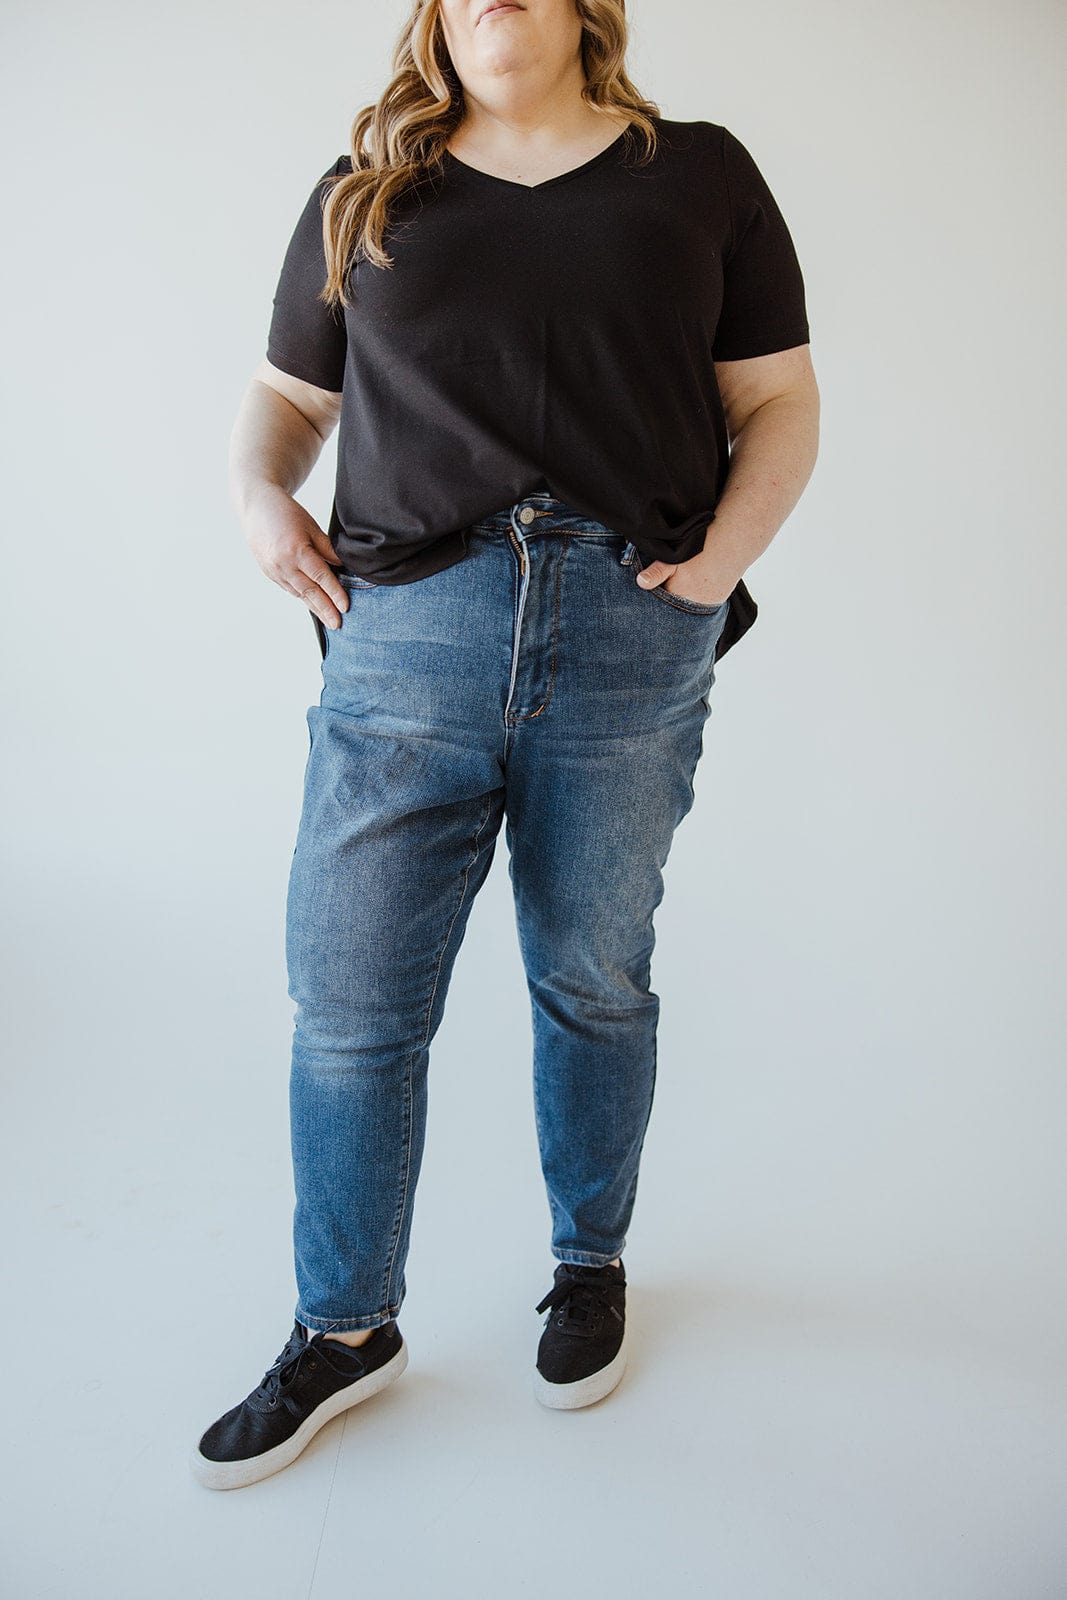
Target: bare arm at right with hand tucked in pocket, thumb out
[[772, 406]]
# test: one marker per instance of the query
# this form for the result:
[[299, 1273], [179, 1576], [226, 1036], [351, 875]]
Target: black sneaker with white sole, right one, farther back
[[581, 1356]]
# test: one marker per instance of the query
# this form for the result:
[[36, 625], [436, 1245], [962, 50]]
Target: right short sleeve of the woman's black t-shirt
[[764, 292]]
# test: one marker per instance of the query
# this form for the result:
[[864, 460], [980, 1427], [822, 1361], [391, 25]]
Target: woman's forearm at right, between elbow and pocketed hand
[[770, 465]]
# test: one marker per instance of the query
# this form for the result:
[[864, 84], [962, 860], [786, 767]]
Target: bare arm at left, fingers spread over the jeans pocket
[[281, 430]]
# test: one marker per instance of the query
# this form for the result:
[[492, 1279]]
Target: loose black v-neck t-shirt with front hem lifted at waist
[[556, 337]]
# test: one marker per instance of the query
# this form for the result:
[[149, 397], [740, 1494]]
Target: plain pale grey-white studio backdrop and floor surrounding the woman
[[847, 1254]]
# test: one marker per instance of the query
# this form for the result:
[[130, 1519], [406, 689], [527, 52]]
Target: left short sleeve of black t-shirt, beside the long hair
[[308, 338]]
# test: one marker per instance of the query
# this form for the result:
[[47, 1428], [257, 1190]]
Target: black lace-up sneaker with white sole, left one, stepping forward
[[311, 1382]]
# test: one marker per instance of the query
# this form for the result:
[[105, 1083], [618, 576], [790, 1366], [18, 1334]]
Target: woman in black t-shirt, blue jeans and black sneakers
[[567, 345]]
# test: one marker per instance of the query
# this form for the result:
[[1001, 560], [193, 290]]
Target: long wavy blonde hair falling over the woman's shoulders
[[423, 106]]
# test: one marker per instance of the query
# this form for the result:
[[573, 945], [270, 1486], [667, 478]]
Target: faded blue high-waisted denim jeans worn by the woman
[[533, 682]]
